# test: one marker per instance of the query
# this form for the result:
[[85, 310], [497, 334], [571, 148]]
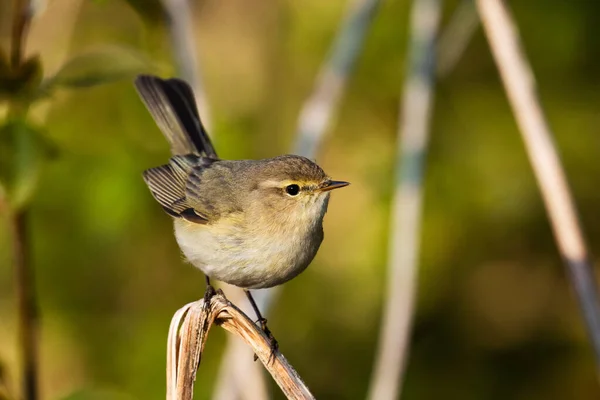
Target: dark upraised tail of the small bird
[[172, 105]]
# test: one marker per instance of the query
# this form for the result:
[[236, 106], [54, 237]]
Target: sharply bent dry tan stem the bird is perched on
[[186, 345]]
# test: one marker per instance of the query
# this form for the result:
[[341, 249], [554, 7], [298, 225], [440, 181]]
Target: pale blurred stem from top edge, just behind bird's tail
[[179, 20]]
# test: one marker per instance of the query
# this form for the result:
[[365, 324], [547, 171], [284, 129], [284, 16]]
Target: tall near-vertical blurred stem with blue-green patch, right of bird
[[404, 240]]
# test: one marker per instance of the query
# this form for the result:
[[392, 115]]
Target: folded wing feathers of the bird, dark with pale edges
[[168, 183]]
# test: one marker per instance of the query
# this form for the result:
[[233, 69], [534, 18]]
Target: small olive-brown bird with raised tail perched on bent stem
[[250, 223]]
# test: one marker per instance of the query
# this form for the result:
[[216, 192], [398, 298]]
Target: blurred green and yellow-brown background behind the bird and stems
[[496, 318]]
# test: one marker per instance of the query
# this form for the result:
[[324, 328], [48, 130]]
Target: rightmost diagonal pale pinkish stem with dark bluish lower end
[[519, 83]]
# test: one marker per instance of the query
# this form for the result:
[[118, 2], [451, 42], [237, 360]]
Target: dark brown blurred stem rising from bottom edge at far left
[[27, 304]]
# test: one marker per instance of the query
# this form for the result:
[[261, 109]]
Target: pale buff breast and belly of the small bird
[[251, 254]]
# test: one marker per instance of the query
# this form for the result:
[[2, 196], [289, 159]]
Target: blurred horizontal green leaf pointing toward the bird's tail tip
[[104, 65]]
